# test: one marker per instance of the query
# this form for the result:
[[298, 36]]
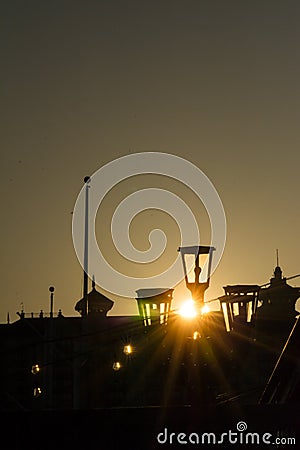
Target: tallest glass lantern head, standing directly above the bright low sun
[[198, 284]]
